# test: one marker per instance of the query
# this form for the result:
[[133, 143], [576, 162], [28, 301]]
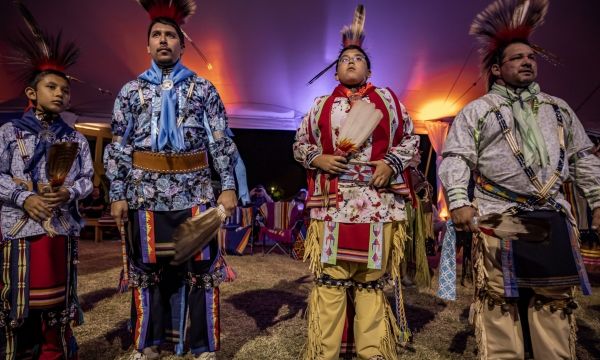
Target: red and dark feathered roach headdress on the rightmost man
[[505, 21]]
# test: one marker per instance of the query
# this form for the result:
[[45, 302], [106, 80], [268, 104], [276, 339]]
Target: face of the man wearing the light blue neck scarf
[[164, 45]]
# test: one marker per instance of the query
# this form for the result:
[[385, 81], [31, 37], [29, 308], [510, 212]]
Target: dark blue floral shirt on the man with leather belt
[[204, 124]]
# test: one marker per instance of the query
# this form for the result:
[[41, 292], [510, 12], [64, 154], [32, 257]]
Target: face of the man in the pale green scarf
[[518, 68]]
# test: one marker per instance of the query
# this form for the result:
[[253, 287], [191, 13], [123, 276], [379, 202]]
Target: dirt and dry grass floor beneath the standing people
[[262, 312]]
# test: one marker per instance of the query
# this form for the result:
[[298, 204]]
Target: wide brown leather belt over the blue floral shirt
[[170, 163]]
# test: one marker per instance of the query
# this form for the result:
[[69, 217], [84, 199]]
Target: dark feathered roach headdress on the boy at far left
[[37, 51]]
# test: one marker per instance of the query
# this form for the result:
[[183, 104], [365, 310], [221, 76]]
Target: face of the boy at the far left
[[52, 94]]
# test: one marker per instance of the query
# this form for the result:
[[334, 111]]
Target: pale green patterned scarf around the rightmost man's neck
[[534, 146]]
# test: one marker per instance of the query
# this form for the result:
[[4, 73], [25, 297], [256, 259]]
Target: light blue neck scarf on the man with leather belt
[[168, 131]]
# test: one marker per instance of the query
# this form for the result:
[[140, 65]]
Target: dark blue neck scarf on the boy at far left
[[30, 123]]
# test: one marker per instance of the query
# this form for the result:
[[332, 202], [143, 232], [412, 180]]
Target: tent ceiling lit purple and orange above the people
[[264, 52]]
